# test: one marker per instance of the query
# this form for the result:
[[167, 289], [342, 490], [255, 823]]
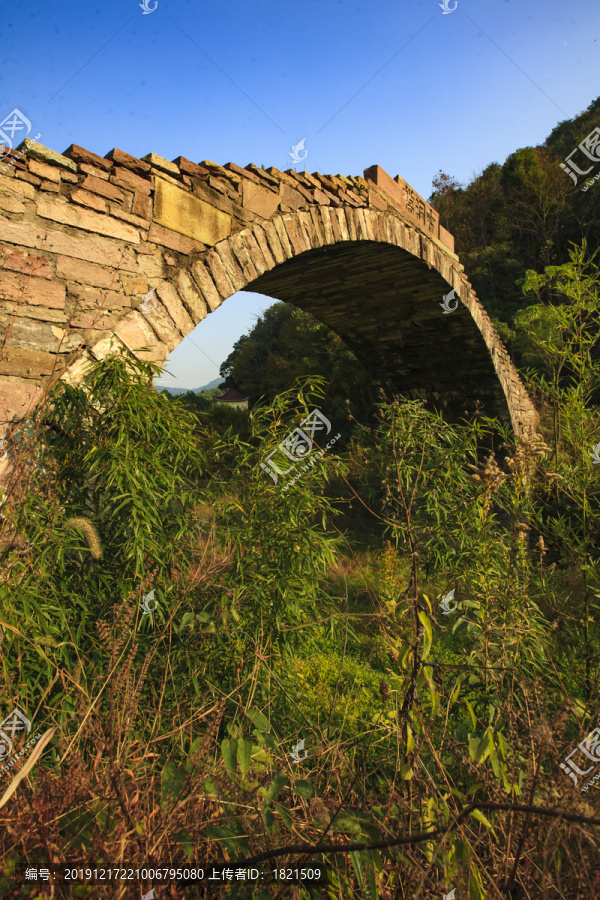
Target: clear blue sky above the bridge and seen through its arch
[[388, 82]]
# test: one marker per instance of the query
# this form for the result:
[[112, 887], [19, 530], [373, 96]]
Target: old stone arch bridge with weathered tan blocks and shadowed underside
[[84, 239]]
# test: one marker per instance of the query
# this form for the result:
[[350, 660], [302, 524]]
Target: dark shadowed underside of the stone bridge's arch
[[384, 303]]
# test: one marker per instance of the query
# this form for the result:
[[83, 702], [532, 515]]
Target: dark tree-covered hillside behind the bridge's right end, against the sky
[[523, 214]]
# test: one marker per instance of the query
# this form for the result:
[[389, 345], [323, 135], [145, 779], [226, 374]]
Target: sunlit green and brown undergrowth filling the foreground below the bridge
[[431, 739]]
